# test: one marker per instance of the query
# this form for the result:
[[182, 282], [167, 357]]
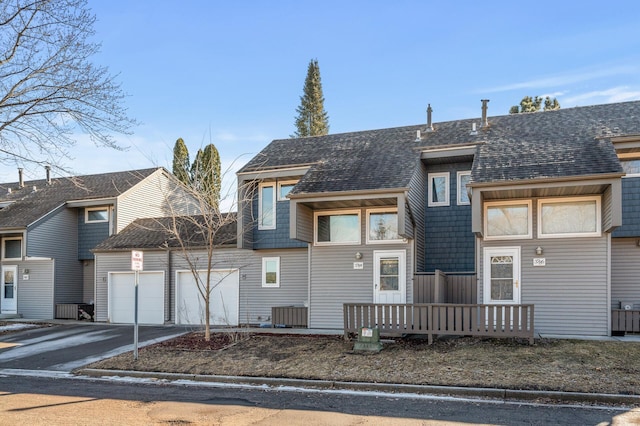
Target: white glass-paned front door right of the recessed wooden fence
[[502, 275]]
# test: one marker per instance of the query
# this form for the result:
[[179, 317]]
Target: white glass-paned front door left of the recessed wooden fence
[[389, 276]]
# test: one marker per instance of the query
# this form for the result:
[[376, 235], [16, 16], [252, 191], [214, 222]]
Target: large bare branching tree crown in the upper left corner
[[49, 88]]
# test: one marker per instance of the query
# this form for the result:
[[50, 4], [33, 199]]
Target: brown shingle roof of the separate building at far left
[[28, 205]]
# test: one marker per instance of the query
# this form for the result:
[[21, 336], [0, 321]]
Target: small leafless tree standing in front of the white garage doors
[[201, 239]]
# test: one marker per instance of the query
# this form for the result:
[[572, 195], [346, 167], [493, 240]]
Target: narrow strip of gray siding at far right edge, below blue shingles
[[625, 272]]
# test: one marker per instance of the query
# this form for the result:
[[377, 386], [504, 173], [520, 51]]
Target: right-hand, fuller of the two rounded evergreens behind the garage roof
[[206, 176]]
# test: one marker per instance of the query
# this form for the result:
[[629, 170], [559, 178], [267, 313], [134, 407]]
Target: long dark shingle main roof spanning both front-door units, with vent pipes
[[550, 144]]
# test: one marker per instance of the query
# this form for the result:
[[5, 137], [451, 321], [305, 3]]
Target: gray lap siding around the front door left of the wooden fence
[[335, 282]]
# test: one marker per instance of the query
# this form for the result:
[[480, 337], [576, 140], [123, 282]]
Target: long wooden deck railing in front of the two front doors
[[441, 319]]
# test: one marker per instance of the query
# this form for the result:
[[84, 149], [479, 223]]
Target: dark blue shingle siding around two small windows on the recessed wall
[[449, 241]]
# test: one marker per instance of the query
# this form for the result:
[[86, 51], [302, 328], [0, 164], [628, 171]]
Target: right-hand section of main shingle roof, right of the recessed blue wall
[[554, 144]]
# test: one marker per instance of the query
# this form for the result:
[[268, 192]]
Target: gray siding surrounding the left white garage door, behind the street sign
[[154, 261]]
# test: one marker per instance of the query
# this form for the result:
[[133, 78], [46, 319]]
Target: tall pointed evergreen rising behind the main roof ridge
[[312, 119]]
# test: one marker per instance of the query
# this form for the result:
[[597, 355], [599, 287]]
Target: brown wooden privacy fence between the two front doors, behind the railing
[[445, 288]]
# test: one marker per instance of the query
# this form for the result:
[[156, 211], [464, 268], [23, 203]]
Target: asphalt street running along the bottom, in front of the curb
[[70, 401]]
